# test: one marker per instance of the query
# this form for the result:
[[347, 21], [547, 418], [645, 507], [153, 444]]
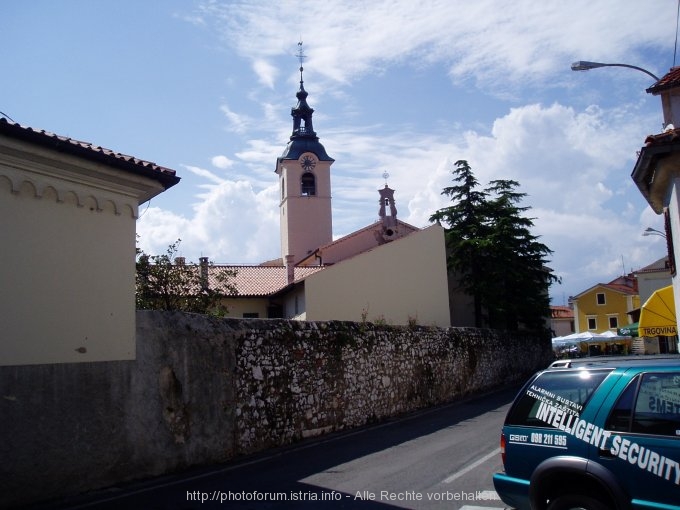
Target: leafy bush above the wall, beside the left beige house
[[164, 284]]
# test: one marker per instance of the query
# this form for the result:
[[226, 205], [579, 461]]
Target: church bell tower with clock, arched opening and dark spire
[[304, 171]]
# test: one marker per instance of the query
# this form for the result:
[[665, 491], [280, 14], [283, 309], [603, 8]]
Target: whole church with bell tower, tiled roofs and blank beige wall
[[388, 271]]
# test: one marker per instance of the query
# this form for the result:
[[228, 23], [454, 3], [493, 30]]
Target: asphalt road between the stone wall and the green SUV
[[439, 458]]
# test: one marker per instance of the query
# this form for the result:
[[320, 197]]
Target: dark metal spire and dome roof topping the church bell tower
[[303, 139]]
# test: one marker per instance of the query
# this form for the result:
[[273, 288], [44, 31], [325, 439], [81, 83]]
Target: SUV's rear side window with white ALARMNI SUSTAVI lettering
[[569, 390]]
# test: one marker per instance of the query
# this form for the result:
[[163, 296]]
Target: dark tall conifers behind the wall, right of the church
[[491, 249]]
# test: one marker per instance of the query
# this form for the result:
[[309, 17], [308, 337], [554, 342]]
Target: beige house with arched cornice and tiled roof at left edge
[[68, 213]]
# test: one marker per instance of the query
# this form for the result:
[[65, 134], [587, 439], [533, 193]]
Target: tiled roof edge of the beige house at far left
[[165, 176]]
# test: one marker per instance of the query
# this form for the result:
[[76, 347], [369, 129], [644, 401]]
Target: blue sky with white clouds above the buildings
[[398, 86]]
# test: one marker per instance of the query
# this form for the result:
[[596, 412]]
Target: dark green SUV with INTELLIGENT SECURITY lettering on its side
[[595, 434]]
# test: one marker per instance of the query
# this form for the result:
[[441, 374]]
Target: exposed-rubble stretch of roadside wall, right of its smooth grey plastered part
[[304, 379]]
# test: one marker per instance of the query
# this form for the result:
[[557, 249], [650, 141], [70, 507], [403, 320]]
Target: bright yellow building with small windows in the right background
[[606, 306]]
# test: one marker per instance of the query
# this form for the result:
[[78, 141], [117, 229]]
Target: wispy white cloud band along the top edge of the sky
[[496, 46]]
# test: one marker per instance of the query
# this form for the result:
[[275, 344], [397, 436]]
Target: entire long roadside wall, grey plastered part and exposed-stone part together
[[205, 390]]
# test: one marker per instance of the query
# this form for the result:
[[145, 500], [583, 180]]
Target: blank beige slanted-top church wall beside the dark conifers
[[397, 282]]
